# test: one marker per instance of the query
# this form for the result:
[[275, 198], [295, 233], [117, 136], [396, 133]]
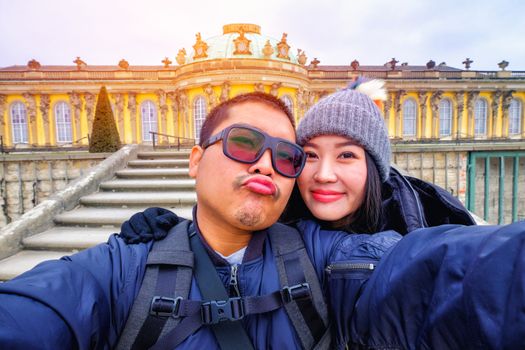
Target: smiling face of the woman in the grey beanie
[[333, 181]]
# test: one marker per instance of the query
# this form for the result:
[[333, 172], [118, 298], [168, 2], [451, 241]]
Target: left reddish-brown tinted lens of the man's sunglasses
[[244, 144]]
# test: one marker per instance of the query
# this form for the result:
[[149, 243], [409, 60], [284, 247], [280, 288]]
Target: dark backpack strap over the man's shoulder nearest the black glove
[[168, 273]]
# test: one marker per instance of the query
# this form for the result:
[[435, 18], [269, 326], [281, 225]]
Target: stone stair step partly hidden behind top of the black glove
[[103, 217]]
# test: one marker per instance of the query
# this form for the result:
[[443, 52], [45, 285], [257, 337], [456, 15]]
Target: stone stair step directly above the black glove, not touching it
[[128, 199]]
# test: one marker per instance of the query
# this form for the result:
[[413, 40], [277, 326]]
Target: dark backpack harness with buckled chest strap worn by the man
[[162, 316]]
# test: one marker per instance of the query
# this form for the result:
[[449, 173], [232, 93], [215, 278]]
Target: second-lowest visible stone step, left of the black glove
[[69, 238]]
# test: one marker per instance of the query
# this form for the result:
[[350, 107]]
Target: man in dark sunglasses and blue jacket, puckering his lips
[[245, 169]]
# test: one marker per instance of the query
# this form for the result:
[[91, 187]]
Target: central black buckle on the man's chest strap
[[216, 311]]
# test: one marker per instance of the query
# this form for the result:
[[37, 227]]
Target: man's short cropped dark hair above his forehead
[[220, 112]]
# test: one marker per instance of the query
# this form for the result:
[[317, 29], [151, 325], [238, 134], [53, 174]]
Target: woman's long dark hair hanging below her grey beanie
[[366, 219]]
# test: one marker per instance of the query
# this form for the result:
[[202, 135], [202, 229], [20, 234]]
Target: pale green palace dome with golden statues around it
[[242, 40]]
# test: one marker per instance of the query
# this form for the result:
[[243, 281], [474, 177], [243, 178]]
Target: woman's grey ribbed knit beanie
[[352, 114]]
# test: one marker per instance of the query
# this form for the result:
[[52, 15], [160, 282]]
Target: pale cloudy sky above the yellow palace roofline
[[143, 32]]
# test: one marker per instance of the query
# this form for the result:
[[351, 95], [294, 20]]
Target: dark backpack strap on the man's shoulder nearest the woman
[[309, 316]]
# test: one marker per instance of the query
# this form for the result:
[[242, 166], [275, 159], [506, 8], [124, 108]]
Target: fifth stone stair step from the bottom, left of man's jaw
[[148, 185]]
